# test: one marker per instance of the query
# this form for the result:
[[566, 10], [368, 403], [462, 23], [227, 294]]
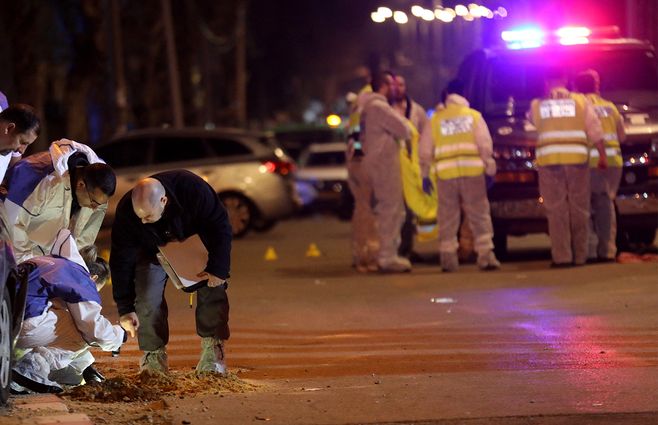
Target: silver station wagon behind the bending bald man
[[252, 175]]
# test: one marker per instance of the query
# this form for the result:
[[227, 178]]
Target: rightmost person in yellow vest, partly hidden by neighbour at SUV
[[604, 182]]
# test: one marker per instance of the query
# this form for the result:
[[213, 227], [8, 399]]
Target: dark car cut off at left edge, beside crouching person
[[13, 291]]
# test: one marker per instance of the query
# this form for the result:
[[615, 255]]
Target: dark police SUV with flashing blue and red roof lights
[[500, 82]]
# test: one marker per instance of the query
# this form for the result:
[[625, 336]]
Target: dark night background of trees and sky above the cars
[[68, 58]]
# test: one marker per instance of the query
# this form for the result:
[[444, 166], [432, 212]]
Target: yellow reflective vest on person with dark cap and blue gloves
[[455, 151]]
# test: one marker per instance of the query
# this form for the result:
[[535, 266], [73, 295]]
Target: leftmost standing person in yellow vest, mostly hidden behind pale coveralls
[[365, 242]]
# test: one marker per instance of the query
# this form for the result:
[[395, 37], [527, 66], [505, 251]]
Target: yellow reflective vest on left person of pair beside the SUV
[[561, 136]]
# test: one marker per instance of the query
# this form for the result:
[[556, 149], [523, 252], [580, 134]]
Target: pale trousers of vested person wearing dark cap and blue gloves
[[469, 194]]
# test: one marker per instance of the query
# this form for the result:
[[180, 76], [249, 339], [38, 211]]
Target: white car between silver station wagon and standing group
[[322, 178]]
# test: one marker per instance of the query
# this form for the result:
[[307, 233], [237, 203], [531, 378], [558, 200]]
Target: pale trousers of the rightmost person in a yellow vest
[[603, 230]]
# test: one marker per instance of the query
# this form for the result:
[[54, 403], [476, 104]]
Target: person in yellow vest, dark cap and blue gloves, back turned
[[457, 142]]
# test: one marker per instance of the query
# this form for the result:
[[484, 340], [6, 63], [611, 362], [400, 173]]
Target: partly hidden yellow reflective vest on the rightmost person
[[608, 114]]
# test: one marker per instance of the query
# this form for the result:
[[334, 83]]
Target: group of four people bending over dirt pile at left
[[53, 205]]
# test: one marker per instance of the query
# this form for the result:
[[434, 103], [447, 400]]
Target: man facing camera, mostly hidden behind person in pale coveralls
[[412, 111]]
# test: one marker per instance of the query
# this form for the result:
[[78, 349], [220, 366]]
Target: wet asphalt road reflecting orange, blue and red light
[[327, 345]]
